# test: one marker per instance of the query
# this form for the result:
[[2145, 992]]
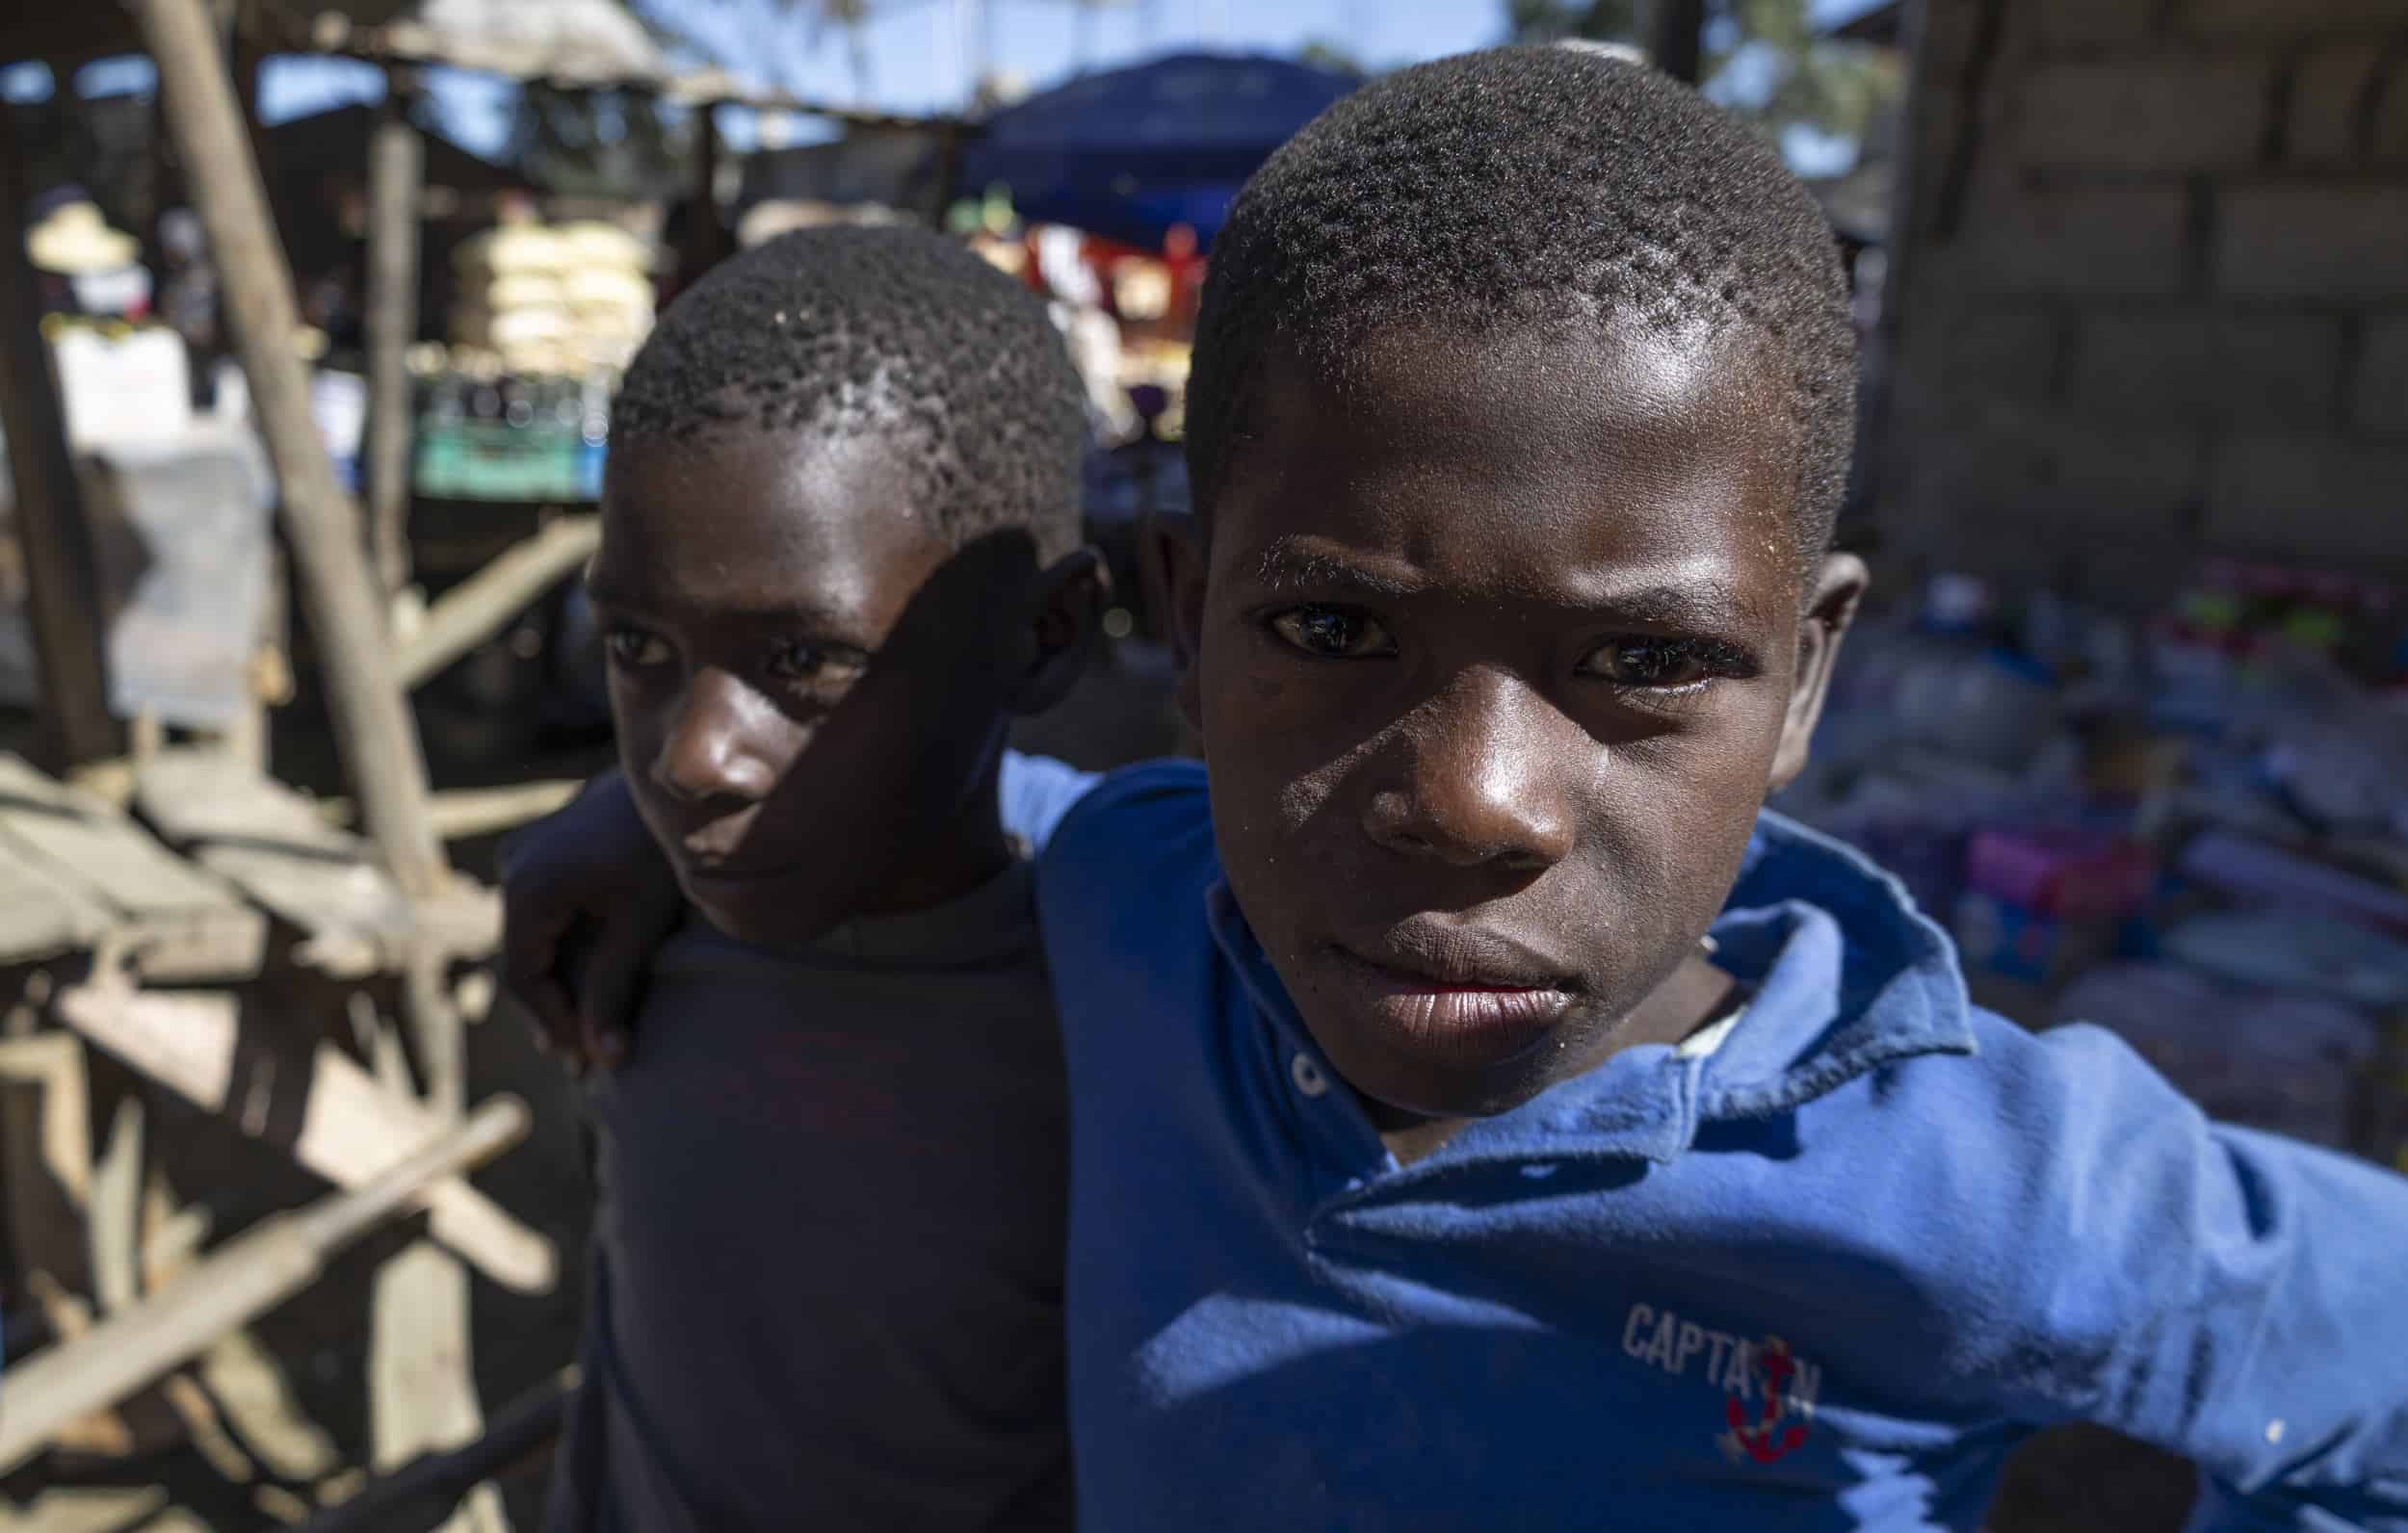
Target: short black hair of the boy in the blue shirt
[[1525, 184]]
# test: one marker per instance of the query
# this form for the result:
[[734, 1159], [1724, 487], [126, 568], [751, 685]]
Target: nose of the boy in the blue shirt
[[1480, 783]]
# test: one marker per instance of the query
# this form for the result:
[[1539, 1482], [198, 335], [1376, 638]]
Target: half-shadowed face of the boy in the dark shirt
[[810, 680]]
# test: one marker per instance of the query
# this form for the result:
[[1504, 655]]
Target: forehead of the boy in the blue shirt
[[1547, 444]]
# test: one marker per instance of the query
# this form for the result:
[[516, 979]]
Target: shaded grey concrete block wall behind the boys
[[2149, 292]]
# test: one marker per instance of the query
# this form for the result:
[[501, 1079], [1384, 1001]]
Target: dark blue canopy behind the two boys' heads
[[1135, 153]]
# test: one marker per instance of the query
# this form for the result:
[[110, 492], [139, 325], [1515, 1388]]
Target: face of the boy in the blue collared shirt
[[1497, 651]]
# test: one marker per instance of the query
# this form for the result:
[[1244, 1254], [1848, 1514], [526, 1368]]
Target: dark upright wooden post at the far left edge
[[57, 540]]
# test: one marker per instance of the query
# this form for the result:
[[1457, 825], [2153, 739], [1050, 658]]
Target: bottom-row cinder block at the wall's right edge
[[2310, 497]]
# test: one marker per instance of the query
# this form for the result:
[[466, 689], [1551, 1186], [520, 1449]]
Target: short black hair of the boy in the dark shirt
[[892, 328]]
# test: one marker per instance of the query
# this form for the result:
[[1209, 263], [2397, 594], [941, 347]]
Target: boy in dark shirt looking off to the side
[[839, 552]]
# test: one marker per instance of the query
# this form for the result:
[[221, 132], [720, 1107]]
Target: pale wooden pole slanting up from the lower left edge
[[228, 1291]]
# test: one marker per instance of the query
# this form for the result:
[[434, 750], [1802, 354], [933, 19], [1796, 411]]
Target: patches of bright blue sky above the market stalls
[[923, 52]]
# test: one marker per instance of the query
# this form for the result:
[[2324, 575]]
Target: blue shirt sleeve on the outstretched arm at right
[[2245, 1298]]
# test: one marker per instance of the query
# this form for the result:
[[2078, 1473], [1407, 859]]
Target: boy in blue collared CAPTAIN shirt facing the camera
[[1485, 1113]]
